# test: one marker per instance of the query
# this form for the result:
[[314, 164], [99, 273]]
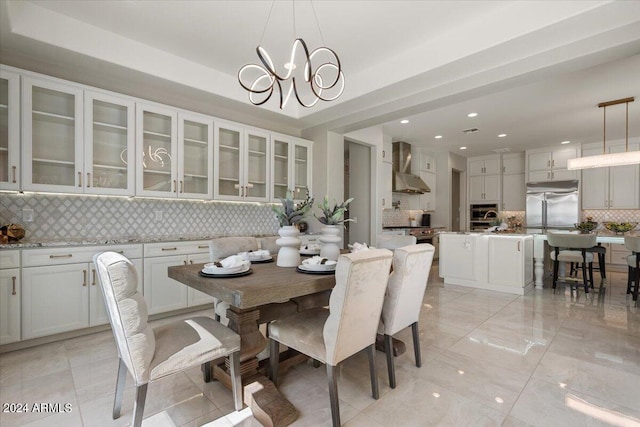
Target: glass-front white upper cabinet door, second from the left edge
[[52, 140]]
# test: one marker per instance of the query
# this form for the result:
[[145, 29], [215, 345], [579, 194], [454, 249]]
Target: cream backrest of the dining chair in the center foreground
[[355, 304]]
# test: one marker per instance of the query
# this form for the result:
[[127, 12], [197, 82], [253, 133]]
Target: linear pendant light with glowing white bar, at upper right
[[611, 159]]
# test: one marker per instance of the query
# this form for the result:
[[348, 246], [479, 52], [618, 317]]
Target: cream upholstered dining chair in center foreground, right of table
[[348, 326]]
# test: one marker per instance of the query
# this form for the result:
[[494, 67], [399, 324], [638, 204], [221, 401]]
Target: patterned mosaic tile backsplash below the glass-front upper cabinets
[[67, 217]]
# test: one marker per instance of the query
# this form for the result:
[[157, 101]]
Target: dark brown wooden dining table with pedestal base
[[268, 293]]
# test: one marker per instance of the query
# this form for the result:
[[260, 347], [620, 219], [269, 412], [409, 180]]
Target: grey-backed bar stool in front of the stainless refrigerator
[[573, 248]]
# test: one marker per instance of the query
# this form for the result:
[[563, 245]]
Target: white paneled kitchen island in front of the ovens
[[497, 262]]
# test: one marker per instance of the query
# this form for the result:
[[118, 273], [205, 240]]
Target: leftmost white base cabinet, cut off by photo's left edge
[[10, 294]]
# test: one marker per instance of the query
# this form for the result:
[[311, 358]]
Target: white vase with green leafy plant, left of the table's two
[[288, 214]]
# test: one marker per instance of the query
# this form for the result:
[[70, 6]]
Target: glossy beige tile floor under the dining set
[[541, 359]]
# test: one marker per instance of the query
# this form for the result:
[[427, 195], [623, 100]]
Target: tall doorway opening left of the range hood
[[357, 184]]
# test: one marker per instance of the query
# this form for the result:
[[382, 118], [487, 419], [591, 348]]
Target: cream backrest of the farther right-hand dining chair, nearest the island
[[406, 287]]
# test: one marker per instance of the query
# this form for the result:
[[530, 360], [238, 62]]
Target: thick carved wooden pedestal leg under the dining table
[[267, 404]]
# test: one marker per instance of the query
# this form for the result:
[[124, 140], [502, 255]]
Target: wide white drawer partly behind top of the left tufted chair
[[74, 254]]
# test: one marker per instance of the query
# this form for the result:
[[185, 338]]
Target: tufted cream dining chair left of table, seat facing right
[[150, 354]]
